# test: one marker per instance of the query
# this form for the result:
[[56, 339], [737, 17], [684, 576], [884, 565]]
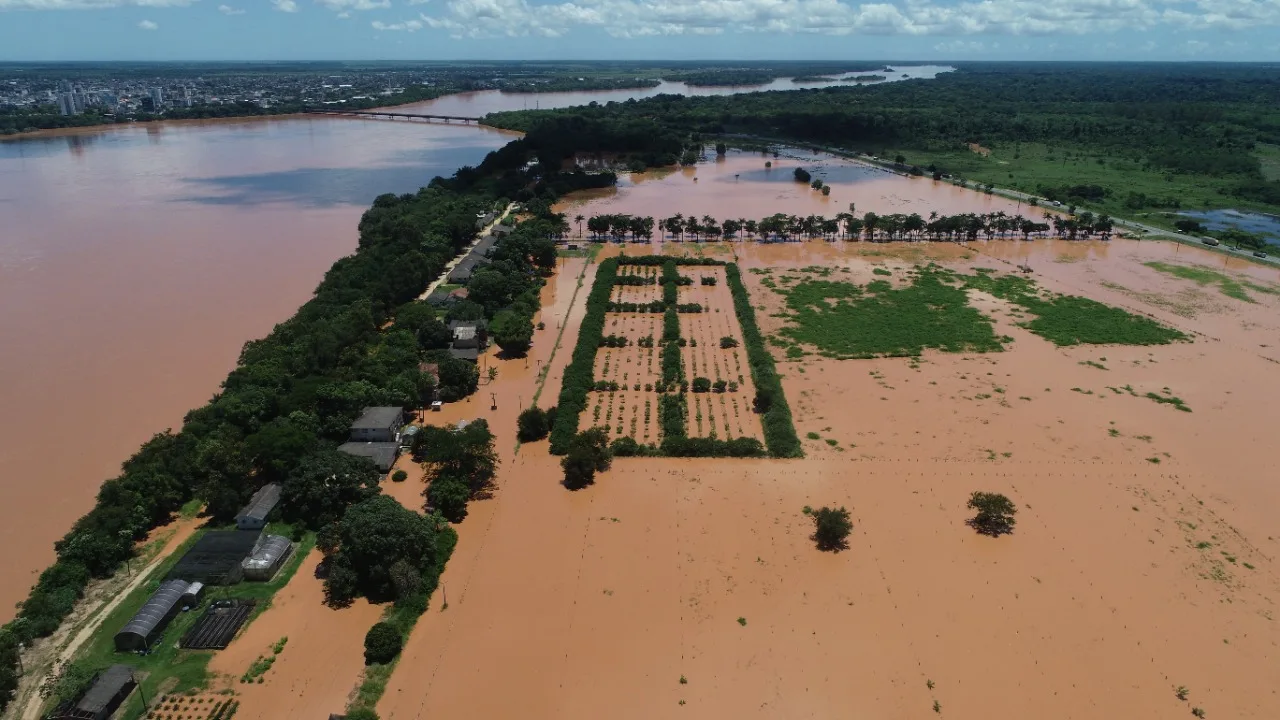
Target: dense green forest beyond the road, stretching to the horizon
[[1150, 136]]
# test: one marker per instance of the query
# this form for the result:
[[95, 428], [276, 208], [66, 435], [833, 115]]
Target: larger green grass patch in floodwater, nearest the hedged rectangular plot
[[847, 321]]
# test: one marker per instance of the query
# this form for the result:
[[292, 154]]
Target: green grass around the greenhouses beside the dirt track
[[168, 668]]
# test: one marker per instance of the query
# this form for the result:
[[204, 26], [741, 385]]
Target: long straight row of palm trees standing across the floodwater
[[870, 226]]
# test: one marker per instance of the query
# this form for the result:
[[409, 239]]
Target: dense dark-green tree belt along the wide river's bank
[[359, 341]]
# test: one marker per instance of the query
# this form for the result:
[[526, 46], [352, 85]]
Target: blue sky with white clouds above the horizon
[[723, 30]]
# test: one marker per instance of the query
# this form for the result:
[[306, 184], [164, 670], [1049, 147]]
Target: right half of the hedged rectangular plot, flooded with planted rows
[[715, 362]]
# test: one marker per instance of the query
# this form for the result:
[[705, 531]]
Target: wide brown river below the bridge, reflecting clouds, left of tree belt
[[136, 262]]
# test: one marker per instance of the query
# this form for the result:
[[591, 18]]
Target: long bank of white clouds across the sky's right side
[[638, 19]]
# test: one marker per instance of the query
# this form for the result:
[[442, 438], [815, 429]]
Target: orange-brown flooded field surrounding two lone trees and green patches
[[1142, 560]]
